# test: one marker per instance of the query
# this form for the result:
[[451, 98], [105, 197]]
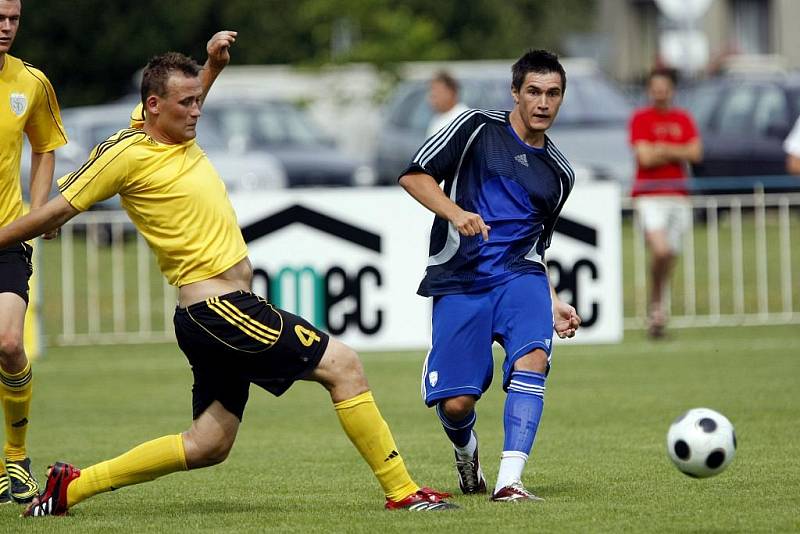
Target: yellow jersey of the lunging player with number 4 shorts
[[172, 194]]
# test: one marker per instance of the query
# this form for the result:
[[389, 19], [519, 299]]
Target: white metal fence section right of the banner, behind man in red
[[737, 267]]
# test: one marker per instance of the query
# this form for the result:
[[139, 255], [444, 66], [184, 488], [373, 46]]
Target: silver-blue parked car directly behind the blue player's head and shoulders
[[591, 127]]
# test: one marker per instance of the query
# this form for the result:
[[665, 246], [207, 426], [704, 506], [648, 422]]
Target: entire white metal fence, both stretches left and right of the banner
[[739, 266]]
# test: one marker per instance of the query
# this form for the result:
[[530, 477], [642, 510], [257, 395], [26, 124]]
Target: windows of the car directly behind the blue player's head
[[589, 100]]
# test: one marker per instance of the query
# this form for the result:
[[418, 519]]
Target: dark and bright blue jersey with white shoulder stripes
[[517, 189]]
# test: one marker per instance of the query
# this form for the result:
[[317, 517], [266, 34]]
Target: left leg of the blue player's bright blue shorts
[[460, 359]]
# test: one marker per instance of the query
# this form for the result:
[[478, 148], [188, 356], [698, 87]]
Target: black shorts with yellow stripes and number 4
[[239, 338]]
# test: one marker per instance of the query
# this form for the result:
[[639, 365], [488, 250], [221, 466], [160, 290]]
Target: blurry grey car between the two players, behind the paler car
[[248, 123]]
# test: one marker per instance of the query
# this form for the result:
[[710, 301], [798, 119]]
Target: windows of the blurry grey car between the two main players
[[269, 124]]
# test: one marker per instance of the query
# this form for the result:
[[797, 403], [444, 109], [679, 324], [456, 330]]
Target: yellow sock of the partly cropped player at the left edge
[[15, 391]]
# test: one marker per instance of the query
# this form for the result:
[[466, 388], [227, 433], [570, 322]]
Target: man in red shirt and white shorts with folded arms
[[665, 140]]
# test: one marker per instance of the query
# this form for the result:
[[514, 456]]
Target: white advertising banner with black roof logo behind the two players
[[350, 260]]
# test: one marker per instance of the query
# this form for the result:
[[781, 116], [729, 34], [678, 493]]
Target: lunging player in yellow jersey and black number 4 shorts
[[231, 337]]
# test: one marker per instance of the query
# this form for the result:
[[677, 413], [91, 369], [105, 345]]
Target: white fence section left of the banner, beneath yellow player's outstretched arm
[[110, 289]]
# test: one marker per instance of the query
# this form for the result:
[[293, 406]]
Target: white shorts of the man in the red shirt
[[669, 213]]
